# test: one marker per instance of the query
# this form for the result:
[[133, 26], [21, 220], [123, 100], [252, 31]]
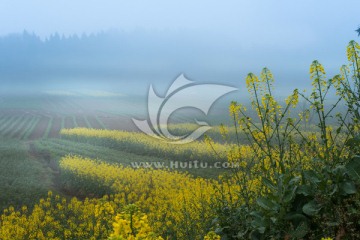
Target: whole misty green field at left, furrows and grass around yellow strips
[[31, 144]]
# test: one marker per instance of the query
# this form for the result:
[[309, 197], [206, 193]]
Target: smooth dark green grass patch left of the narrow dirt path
[[23, 179]]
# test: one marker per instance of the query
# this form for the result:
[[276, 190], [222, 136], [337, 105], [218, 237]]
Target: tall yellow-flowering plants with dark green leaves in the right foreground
[[307, 183]]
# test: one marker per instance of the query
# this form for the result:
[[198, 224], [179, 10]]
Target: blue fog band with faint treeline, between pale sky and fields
[[127, 62]]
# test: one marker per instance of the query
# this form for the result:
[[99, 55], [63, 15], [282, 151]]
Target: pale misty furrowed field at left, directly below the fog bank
[[43, 117]]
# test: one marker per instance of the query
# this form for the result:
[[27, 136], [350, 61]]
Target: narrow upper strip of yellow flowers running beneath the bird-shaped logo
[[142, 144]]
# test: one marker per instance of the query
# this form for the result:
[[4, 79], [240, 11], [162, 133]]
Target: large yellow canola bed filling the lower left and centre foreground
[[176, 205]]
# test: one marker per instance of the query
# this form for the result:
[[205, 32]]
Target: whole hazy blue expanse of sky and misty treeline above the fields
[[122, 47]]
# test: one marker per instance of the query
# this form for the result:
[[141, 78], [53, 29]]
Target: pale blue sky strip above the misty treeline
[[304, 22]]
